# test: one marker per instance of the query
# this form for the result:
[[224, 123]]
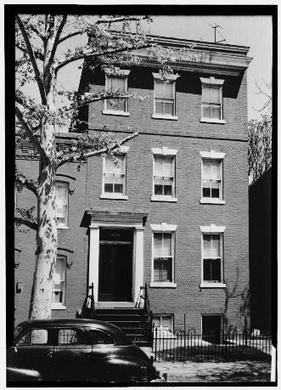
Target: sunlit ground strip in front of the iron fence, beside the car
[[242, 371]]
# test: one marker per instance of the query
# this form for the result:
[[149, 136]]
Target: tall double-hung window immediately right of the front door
[[163, 255]]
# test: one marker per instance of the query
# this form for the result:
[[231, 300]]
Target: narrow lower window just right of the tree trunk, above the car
[[59, 279]]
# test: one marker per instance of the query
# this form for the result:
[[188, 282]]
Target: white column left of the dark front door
[[94, 258]]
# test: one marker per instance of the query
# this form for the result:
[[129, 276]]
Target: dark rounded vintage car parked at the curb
[[71, 350]]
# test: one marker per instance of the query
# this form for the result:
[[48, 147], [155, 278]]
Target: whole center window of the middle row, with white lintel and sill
[[164, 181]]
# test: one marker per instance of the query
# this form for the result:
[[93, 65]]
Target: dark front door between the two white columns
[[115, 265]]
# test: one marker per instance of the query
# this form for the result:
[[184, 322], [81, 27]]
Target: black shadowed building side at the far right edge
[[260, 252]]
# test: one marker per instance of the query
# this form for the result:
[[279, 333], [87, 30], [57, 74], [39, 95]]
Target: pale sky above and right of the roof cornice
[[252, 31]]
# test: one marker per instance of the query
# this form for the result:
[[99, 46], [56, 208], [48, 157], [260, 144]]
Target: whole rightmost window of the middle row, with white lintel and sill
[[212, 177]]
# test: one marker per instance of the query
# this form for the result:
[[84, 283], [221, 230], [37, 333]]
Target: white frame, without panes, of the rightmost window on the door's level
[[212, 230]]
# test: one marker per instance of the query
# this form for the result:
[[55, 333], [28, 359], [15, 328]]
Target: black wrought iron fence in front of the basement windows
[[231, 346]]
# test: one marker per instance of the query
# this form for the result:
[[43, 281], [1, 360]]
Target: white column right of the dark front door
[[138, 274]]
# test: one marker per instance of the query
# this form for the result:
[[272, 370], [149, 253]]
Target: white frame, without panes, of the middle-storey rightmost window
[[212, 155]]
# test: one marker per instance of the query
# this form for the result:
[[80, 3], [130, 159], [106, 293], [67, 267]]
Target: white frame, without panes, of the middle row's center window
[[164, 152]]
